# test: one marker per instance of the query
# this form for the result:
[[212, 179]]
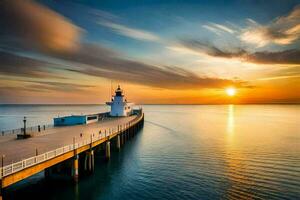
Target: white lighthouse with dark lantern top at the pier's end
[[119, 106]]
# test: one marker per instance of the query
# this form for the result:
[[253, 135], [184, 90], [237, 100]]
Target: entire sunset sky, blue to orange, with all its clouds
[[170, 52]]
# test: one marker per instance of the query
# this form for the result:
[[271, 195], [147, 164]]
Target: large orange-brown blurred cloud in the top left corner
[[32, 25]]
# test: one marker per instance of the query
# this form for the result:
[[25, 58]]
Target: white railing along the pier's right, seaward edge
[[23, 164]]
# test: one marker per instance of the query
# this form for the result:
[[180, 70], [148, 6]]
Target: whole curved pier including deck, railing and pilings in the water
[[68, 147]]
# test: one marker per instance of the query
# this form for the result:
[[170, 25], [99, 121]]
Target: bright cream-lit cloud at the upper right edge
[[283, 30]]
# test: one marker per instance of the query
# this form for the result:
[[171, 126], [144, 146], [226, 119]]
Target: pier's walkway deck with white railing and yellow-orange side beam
[[27, 157]]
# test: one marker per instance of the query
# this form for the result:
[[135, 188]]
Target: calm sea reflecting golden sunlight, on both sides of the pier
[[183, 152]]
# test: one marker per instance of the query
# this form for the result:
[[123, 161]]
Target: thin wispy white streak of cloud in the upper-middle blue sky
[[130, 32]]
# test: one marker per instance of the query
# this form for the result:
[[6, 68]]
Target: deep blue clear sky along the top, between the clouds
[[170, 19]]
